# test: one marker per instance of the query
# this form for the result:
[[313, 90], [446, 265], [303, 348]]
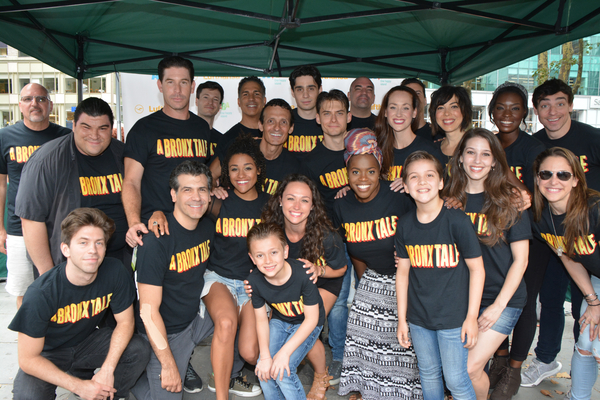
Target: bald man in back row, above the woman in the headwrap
[[362, 97]]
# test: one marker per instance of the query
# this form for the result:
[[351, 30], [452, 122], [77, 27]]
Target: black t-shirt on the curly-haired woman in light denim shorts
[[230, 252]]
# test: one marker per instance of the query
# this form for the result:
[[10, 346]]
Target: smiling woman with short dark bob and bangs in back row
[[451, 112]]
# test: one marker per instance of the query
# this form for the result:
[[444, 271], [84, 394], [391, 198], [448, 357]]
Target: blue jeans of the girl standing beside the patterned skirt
[[437, 350]]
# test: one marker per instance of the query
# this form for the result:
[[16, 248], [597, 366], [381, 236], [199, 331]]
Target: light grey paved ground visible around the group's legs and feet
[[201, 360]]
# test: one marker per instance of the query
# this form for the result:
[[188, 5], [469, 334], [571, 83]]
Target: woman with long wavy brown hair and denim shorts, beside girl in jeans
[[480, 182]]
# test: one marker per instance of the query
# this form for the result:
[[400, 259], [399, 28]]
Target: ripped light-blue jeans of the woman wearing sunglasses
[[584, 368]]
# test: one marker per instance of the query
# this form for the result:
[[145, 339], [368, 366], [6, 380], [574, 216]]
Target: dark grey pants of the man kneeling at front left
[[81, 362]]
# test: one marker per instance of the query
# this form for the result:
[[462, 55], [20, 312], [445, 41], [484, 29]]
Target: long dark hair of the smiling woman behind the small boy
[[317, 224]]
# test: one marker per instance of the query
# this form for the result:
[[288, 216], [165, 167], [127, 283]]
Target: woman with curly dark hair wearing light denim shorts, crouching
[[229, 264]]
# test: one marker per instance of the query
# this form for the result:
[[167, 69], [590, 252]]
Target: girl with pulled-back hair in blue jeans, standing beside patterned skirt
[[439, 281]]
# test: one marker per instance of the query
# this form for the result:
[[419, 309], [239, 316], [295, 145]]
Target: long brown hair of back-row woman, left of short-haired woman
[[385, 133]]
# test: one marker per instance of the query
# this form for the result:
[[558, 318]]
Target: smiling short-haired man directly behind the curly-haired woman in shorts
[[276, 122]]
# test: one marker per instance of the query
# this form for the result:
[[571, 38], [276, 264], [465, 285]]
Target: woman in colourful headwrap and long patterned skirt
[[374, 364]]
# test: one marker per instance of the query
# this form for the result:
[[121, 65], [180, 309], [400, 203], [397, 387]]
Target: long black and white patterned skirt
[[374, 362]]
